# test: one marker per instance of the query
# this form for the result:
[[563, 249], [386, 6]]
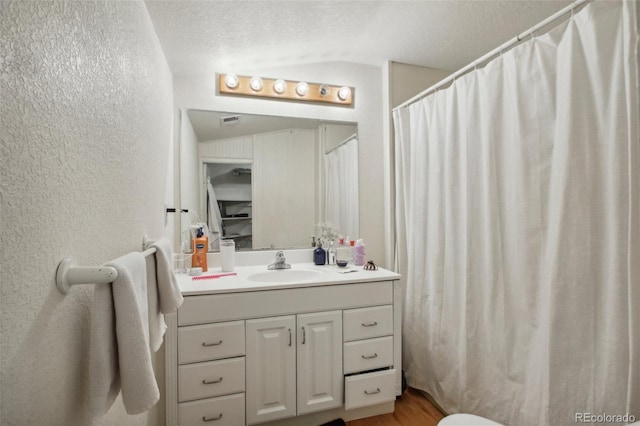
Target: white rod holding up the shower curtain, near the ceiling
[[499, 50]]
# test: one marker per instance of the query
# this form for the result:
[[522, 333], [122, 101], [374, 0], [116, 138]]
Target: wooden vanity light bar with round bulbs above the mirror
[[232, 84]]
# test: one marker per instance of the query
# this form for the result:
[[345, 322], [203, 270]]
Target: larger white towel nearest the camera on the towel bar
[[119, 347]]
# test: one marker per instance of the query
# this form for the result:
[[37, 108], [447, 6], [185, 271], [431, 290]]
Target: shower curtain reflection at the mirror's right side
[[341, 187]]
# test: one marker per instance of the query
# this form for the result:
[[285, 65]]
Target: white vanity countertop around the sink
[[242, 281]]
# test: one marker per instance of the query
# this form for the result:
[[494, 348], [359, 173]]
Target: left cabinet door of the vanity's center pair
[[271, 368]]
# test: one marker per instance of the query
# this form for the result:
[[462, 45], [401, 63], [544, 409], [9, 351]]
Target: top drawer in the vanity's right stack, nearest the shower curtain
[[366, 323]]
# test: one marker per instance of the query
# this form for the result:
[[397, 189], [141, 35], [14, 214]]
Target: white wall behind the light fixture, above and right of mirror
[[200, 92]]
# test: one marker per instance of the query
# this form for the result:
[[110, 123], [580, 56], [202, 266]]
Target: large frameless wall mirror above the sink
[[266, 181]]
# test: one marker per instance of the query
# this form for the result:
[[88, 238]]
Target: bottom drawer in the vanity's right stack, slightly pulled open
[[369, 389]]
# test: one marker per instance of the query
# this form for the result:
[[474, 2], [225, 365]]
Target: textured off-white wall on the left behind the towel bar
[[86, 123]]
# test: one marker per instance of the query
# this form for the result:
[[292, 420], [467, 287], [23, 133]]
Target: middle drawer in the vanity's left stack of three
[[211, 378]]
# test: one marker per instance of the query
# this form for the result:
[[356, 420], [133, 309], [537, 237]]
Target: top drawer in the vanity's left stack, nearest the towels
[[210, 341]]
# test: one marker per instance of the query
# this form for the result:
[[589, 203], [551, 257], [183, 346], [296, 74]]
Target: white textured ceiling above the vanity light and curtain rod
[[208, 36]]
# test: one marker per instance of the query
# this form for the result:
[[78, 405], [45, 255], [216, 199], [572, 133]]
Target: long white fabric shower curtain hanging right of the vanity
[[518, 229]]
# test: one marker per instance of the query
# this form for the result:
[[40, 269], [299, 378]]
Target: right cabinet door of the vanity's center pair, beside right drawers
[[320, 379]]
